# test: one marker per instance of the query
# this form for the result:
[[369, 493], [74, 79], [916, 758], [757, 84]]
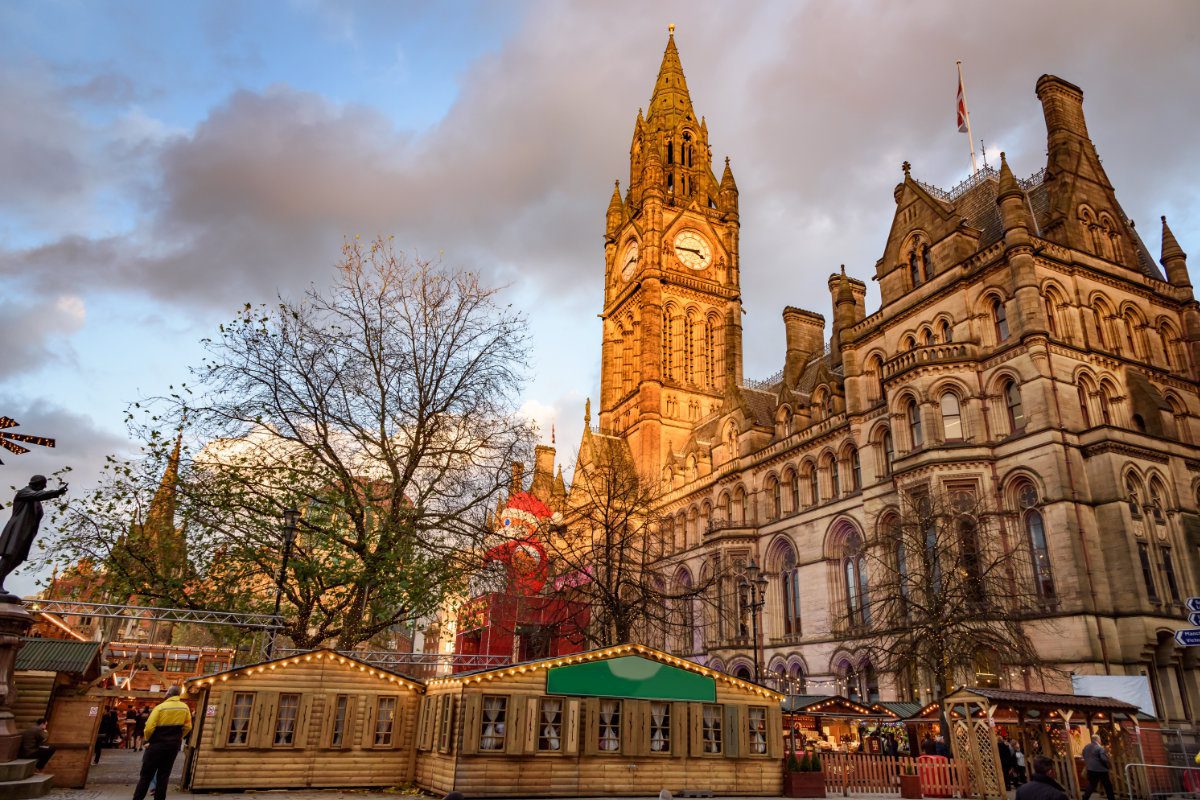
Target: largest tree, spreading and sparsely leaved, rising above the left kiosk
[[385, 408]]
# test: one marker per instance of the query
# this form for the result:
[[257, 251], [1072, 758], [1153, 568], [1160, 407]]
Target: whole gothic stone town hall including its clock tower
[[1028, 350]]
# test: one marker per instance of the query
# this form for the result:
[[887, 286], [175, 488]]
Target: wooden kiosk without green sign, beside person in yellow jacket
[[315, 720]]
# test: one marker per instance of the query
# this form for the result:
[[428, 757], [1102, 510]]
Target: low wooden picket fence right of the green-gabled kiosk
[[859, 774]]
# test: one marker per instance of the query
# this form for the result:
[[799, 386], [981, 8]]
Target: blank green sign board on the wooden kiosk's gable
[[632, 677]]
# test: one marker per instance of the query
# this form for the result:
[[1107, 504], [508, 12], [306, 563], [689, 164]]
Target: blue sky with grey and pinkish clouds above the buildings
[[161, 165]]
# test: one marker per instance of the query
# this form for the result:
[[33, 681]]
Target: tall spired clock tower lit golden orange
[[673, 315]]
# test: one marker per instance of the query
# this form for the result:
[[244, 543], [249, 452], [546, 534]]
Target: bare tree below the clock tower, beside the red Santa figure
[[610, 558]]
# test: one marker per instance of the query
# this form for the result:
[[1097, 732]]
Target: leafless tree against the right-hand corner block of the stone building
[[950, 593]]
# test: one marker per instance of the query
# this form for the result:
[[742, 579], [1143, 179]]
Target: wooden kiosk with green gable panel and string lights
[[626, 720]]
